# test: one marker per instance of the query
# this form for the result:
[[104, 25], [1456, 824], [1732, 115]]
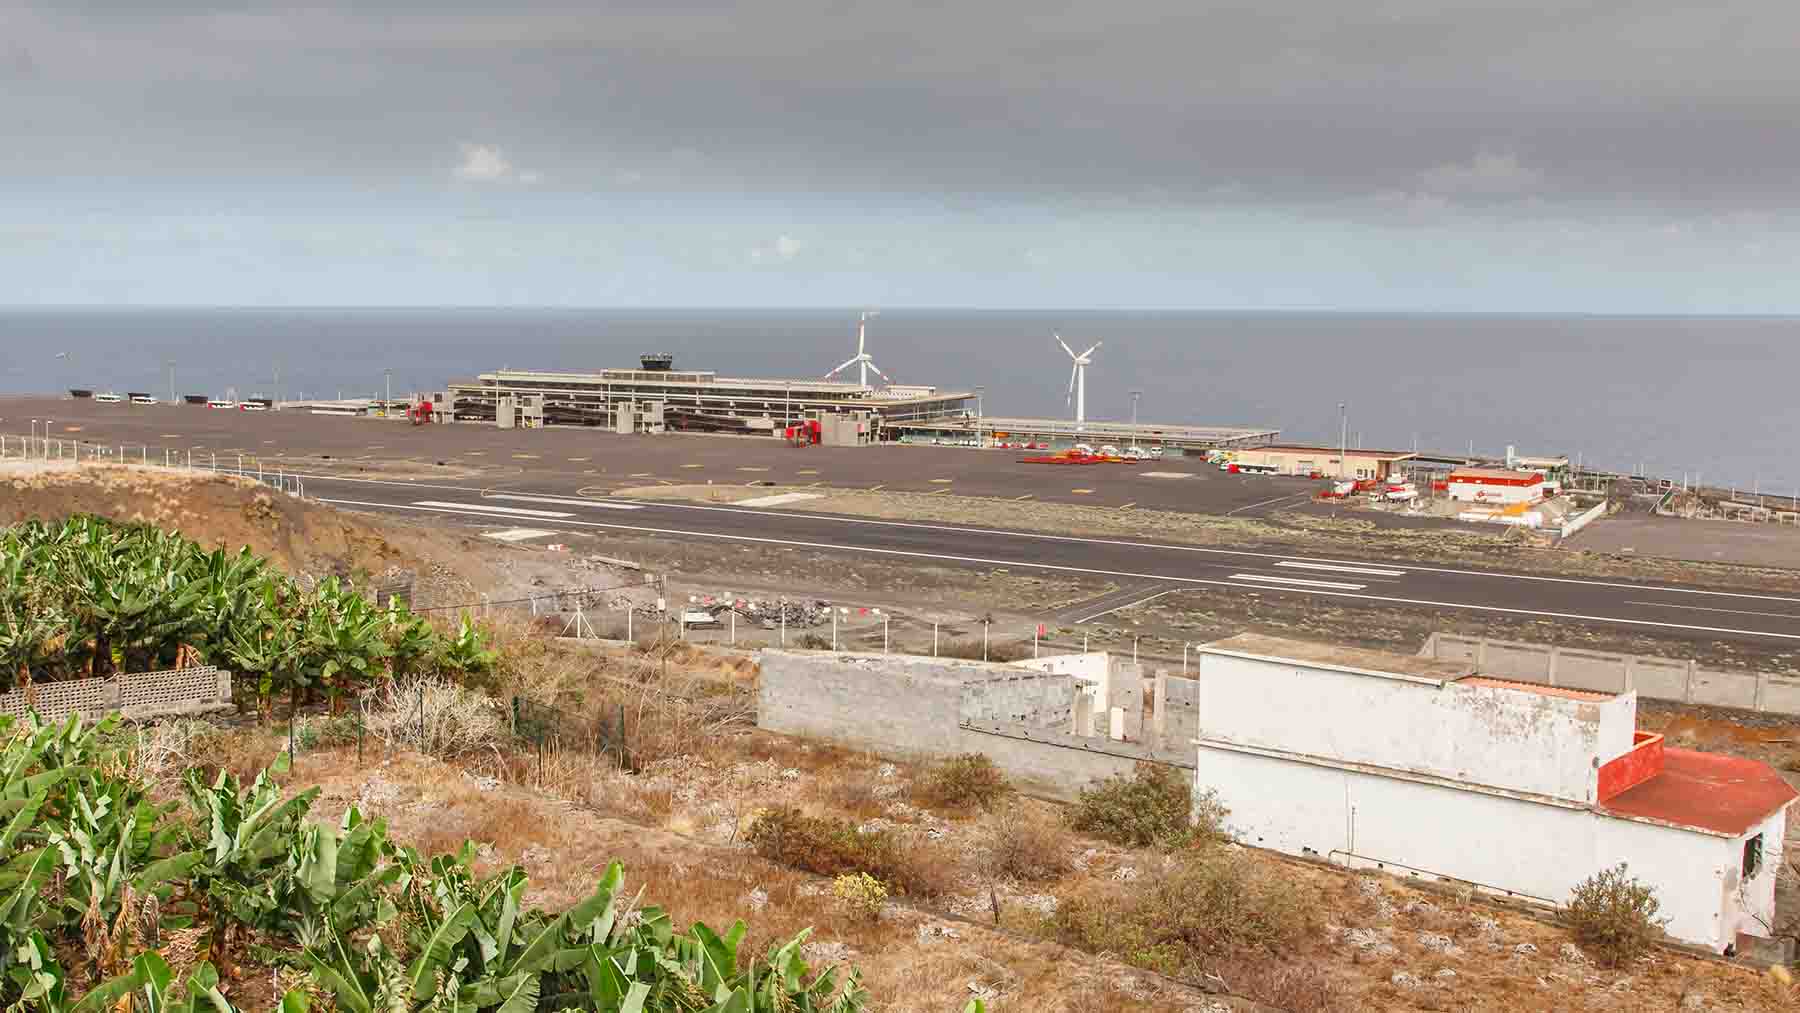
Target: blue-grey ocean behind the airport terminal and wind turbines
[[1673, 395]]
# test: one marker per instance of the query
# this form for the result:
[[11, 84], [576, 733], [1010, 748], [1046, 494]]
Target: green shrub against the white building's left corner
[[1155, 807]]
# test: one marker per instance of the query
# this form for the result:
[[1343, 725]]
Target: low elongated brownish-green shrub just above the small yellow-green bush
[[836, 848]]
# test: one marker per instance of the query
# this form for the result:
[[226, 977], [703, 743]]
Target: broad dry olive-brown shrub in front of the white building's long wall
[[1180, 919]]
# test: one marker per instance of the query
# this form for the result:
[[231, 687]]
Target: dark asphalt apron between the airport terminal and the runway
[[577, 460]]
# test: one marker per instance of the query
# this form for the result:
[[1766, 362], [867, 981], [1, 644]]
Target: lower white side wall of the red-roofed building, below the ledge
[[1498, 843]]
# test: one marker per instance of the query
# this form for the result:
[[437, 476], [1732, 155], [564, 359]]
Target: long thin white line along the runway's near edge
[[1065, 569]]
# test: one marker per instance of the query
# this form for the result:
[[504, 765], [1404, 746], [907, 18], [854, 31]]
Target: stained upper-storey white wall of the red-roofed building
[[1506, 739]]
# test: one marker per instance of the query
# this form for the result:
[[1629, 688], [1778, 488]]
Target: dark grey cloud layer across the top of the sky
[[1324, 102]]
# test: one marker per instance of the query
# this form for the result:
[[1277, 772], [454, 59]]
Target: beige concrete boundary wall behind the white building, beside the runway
[[1657, 679]]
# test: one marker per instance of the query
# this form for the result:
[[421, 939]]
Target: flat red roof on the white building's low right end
[[1705, 791]]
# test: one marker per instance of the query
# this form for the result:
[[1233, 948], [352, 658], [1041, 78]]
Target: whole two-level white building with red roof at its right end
[[1428, 769]]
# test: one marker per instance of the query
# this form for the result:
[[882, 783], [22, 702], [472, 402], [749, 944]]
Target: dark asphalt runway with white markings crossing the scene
[[1144, 569]]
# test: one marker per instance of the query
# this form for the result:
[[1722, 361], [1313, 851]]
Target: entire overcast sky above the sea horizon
[[1520, 156]]
